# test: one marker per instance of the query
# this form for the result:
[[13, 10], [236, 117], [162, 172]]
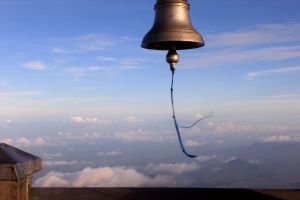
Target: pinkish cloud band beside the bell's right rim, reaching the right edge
[[262, 34]]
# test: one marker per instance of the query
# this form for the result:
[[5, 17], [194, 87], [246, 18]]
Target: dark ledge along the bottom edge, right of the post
[[158, 193]]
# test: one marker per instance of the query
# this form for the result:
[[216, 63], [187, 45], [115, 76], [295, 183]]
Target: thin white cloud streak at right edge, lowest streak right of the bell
[[253, 75]]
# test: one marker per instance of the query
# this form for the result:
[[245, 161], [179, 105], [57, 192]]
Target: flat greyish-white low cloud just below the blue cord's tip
[[172, 168]]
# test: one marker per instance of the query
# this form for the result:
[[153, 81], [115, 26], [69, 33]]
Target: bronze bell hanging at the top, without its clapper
[[172, 28]]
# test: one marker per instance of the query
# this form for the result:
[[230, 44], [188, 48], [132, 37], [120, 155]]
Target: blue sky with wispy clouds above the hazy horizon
[[53, 52]]
